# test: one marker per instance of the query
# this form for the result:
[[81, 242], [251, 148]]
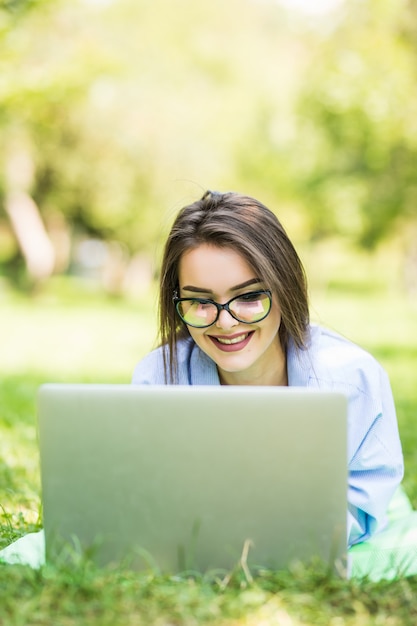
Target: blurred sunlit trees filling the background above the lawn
[[115, 113]]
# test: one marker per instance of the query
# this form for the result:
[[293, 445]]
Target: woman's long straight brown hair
[[232, 220]]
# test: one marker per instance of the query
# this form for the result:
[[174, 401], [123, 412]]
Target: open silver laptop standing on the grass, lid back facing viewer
[[176, 478]]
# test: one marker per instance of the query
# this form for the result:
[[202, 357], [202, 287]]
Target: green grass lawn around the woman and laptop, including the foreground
[[70, 333]]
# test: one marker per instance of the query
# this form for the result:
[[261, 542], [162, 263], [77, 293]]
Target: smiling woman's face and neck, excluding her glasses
[[249, 354]]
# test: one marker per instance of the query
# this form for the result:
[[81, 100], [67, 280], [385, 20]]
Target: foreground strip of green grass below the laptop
[[304, 596]]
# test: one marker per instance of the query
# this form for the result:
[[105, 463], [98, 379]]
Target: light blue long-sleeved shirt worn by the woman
[[329, 362]]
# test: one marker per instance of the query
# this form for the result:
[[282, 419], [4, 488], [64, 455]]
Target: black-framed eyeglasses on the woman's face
[[247, 308]]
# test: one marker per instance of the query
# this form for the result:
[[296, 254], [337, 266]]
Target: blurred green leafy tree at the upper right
[[357, 127]]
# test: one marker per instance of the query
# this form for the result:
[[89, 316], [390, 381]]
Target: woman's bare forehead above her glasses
[[213, 268]]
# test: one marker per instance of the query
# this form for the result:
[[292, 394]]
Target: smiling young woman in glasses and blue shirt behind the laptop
[[234, 311]]
